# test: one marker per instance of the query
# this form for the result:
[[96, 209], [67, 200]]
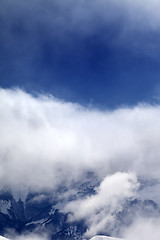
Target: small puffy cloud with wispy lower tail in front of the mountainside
[[98, 210]]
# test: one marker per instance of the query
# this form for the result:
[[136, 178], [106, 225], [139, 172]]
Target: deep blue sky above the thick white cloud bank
[[91, 52]]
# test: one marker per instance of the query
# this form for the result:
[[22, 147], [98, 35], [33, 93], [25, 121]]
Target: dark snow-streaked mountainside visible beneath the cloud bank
[[43, 212]]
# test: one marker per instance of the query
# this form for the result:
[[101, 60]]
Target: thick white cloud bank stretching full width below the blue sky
[[45, 141]]
